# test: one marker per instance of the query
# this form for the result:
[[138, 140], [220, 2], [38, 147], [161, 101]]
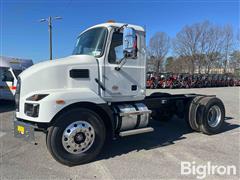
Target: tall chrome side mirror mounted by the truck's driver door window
[[129, 43]]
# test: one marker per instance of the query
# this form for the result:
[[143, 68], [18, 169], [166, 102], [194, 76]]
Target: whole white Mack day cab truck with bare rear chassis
[[98, 94]]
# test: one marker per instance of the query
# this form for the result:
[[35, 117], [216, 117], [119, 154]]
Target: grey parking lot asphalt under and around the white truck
[[156, 155]]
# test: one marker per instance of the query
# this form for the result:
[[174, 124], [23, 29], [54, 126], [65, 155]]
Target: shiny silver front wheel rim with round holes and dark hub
[[78, 137]]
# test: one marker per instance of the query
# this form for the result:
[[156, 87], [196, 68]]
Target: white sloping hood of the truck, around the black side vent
[[53, 75]]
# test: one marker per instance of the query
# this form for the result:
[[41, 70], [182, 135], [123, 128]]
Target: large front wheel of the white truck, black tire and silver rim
[[77, 137]]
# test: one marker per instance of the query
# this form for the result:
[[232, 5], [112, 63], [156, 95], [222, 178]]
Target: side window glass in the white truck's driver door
[[116, 48]]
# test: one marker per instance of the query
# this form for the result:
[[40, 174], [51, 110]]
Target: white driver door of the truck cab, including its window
[[126, 83]]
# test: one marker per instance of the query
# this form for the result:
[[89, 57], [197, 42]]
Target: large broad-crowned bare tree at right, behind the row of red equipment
[[203, 44]]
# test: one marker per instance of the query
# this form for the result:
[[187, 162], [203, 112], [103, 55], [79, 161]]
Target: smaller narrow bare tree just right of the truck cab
[[158, 48]]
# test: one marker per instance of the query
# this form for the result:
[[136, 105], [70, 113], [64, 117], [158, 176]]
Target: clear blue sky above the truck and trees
[[23, 36]]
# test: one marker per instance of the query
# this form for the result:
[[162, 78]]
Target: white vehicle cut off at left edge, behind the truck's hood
[[10, 68]]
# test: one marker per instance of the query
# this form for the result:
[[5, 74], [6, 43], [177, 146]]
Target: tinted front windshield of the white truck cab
[[91, 42]]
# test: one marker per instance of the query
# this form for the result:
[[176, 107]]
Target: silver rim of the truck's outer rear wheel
[[214, 116]]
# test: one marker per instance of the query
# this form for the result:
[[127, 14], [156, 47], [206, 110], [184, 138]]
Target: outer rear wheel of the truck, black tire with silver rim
[[212, 114]]
